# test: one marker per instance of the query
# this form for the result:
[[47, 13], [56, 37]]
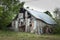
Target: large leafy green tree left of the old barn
[[8, 11]]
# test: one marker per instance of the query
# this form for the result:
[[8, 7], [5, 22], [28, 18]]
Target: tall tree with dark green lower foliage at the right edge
[[57, 19]]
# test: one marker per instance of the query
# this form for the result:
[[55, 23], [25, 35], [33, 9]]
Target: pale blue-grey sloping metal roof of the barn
[[42, 16]]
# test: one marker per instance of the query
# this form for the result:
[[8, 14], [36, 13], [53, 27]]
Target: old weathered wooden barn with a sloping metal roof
[[32, 21]]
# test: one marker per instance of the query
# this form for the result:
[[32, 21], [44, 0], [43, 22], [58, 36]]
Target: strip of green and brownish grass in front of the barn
[[10, 35]]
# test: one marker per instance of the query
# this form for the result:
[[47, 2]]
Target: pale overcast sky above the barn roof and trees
[[42, 5]]
